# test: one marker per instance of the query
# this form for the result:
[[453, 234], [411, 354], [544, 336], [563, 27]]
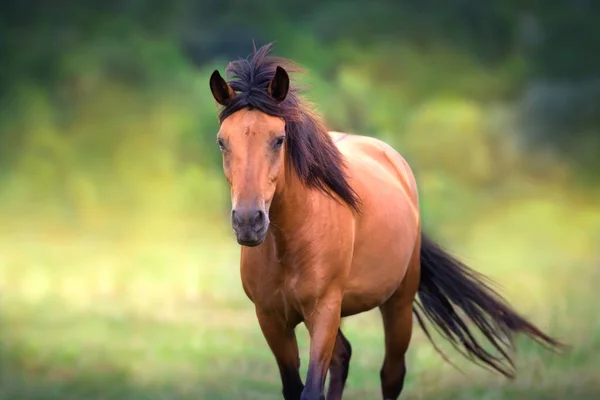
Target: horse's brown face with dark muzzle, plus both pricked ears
[[252, 144]]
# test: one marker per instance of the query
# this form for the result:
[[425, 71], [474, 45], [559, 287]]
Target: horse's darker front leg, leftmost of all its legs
[[282, 342]]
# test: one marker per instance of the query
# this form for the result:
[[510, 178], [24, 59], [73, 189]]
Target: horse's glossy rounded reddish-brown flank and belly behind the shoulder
[[387, 229]]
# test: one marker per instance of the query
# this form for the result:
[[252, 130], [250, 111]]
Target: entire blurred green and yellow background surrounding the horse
[[119, 275]]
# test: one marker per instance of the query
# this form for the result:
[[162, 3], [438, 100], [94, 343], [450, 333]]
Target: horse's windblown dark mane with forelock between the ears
[[310, 150]]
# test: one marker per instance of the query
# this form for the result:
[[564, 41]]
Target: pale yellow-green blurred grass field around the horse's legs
[[88, 319]]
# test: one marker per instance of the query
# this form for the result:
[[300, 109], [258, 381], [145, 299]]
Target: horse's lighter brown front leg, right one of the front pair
[[323, 322]]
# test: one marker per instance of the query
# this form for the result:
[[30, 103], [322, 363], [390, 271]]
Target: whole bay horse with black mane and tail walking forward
[[330, 227]]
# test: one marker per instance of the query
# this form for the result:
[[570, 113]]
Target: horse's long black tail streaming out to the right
[[447, 284]]
